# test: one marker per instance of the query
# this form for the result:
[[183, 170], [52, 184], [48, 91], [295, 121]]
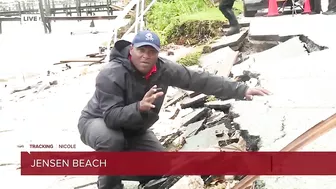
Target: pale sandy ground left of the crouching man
[[47, 117]]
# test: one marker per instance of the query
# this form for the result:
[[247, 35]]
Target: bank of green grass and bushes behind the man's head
[[187, 22]]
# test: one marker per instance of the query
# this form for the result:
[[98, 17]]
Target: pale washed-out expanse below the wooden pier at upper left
[[27, 50]]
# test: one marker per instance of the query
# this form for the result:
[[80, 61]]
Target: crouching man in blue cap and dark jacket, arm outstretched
[[129, 94]]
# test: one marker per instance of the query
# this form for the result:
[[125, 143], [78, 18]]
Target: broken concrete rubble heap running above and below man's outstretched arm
[[191, 121]]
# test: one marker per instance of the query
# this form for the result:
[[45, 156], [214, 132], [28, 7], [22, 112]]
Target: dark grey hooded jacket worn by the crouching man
[[120, 88]]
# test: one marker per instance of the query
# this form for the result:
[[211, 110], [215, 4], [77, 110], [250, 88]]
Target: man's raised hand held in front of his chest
[[147, 102]]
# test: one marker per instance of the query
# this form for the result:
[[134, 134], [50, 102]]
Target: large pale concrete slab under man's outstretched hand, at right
[[293, 108]]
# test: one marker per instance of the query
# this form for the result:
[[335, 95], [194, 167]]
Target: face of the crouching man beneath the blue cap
[[144, 58]]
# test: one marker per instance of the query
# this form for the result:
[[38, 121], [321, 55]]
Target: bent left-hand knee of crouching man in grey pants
[[99, 137]]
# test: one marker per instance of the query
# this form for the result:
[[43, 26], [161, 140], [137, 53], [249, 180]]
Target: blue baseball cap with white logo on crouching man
[[146, 37]]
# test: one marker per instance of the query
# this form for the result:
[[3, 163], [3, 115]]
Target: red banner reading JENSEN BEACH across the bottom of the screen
[[178, 163]]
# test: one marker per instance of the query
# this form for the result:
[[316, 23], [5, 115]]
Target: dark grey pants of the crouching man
[[94, 133]]
